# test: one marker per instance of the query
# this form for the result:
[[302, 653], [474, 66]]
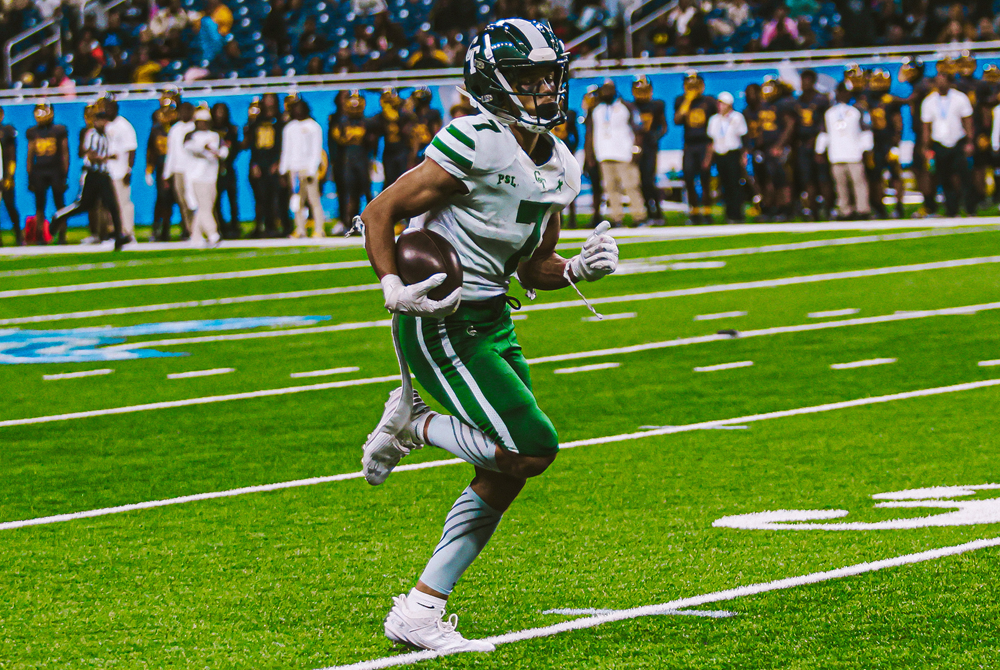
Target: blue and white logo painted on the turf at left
[[83, 345]]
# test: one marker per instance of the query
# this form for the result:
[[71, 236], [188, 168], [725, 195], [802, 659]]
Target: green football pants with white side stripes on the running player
[[474, 367]]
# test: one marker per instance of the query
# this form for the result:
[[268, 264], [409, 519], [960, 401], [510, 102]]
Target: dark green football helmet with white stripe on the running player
[[513, 59]]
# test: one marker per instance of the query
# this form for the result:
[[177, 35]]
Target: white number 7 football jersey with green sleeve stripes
[[511, 200]]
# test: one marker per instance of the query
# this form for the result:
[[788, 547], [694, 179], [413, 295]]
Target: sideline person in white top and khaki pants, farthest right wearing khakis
[[844, 141]]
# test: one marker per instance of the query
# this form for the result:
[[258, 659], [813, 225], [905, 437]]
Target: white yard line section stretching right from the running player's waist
[[768, 283]]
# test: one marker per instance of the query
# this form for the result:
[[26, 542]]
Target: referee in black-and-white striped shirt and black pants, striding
[[97, 185]]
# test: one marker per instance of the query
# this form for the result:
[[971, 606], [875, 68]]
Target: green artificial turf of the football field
[[302, 577]]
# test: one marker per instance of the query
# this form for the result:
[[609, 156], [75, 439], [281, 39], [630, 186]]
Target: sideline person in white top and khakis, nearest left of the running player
[[301, 158]]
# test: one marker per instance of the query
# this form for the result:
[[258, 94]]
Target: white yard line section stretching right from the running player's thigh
[[778, 330]]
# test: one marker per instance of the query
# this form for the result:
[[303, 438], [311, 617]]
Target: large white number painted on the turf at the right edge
[[965, 512]]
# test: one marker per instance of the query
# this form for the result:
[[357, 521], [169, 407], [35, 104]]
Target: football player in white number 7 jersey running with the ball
[[493, 184]]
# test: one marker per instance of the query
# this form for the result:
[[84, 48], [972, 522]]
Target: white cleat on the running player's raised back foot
[[392, 438]]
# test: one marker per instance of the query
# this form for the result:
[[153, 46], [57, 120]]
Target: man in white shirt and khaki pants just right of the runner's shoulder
[[610, 142]]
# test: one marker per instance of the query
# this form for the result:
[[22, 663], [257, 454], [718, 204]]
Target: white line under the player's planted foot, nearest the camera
[[668, 607]]
